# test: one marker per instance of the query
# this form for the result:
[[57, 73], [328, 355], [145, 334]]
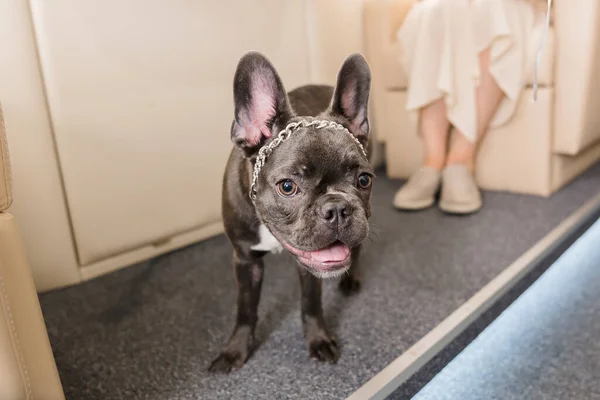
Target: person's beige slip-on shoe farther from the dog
[[460, 194]]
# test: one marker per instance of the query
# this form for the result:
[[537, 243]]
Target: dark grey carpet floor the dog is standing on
[[151, 330]]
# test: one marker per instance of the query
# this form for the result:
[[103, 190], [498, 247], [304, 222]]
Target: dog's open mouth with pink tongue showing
[[333, 258]]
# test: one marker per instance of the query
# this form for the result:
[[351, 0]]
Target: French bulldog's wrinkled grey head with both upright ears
[[313, 193]]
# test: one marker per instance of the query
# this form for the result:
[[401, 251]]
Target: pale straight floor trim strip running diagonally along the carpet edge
[[403, 367]]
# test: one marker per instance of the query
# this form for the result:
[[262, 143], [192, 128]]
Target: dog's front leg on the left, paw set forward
[[249, 275]]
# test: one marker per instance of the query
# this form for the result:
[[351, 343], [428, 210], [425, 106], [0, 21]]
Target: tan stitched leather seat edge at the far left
[[27, 366]]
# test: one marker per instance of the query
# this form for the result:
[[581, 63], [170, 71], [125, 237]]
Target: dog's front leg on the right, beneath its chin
[[320, 343]]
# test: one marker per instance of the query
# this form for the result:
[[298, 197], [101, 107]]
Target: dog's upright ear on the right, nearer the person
[[351, 96]]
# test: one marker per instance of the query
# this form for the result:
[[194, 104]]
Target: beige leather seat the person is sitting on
[[545, 145]]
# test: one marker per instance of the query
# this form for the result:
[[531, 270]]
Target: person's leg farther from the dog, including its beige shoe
[[460, 194]]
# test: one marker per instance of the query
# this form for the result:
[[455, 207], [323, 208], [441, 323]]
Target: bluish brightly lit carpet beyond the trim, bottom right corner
[[546, 345]]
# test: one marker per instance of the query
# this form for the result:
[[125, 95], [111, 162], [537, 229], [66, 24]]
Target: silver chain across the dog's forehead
[[284, 135]]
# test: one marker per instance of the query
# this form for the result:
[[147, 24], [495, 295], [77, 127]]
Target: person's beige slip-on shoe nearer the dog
[[419, 191]]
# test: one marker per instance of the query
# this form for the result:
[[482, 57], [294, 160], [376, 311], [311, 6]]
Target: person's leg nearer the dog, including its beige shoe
[[419, 192]]
